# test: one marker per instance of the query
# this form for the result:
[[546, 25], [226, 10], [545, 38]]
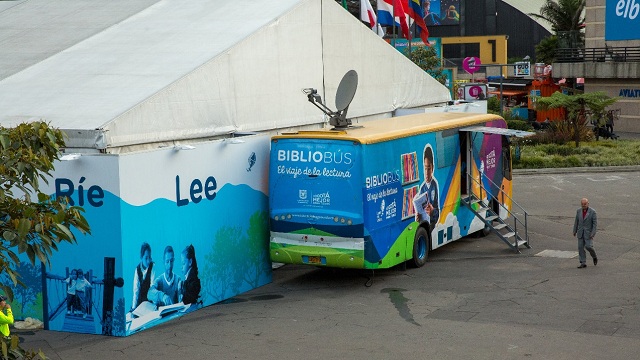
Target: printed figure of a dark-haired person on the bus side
[[426, 202]]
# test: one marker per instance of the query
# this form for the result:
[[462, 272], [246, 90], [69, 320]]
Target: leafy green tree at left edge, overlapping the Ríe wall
[[31, 221]]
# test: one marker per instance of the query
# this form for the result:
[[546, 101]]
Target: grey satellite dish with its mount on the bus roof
[[344, 96]]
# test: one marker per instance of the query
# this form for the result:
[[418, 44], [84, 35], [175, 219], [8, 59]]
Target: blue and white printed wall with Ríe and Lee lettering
[[171, 231]]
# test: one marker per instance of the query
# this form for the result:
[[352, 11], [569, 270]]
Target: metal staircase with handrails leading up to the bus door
[[513, 229]]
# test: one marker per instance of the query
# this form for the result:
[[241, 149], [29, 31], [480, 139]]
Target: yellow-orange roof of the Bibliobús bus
[[375, 131]]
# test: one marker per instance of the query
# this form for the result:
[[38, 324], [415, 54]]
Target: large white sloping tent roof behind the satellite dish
[[163, 71]]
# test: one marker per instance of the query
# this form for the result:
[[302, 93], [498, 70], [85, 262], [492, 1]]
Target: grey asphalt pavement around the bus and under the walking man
[[475, 299]]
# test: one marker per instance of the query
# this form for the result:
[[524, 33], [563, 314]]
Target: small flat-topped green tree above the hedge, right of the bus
[[576, 107]]
